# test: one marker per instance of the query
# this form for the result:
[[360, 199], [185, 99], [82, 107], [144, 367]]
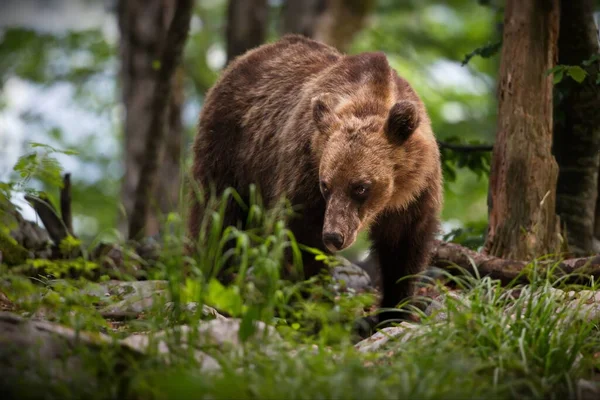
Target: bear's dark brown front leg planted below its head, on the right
[[402, 242]]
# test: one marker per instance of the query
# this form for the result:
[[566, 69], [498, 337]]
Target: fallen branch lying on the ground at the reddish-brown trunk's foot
[[446, 254]]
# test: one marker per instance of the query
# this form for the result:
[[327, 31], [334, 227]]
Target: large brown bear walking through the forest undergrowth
[[341, 135]]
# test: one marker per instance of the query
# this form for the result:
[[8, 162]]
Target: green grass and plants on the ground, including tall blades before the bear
[[491, 346]]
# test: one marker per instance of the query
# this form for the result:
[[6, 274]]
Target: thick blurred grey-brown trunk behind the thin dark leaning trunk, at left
[[143, 26]]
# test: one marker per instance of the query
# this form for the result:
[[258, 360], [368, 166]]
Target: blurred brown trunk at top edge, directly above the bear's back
[[334, 22]]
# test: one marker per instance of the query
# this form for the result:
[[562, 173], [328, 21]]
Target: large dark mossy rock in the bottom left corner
[[37, 357]]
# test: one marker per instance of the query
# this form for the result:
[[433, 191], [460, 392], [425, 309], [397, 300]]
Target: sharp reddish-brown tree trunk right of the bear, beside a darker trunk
[[522, 217]]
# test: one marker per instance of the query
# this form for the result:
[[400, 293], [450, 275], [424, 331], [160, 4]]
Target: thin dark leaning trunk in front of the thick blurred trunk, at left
[[165, 66]]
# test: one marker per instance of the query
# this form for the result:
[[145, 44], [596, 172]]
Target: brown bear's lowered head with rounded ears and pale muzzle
[[359, 155]]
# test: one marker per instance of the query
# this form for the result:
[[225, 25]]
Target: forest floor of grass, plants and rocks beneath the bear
[[165, 339]]
